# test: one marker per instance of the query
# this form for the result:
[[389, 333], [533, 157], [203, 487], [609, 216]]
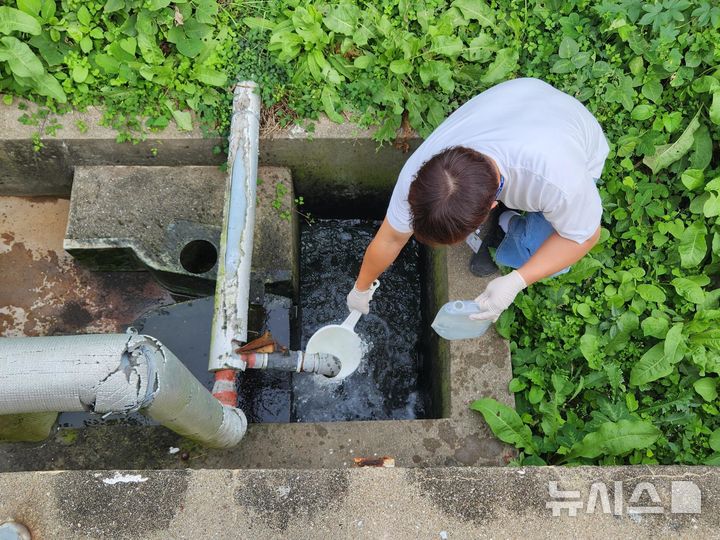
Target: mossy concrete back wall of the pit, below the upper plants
[[341, 157]]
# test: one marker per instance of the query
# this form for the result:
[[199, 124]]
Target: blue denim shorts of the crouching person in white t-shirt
[[525, 235]]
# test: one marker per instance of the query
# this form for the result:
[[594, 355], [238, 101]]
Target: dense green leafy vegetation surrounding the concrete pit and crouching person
[[615, 362]]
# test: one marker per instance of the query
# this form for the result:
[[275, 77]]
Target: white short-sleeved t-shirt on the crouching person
[[547, 145]]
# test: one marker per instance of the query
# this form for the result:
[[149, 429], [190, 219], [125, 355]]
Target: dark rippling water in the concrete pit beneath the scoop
[[386, 383]]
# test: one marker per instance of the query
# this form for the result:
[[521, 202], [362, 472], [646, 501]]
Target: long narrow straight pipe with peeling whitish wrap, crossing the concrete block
[[236, 243]]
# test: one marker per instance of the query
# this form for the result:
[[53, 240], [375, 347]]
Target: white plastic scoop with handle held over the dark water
[[341, 341]]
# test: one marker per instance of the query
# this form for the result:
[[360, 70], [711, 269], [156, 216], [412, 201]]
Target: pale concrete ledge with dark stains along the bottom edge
[[366, 503]]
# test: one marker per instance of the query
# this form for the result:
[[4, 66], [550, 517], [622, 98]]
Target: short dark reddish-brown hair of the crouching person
[[451, 195]]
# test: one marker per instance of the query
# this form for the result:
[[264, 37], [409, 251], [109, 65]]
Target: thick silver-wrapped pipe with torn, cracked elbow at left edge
[[113, 373]]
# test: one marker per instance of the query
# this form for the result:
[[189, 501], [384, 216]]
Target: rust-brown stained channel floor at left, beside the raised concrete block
[[43, 291]]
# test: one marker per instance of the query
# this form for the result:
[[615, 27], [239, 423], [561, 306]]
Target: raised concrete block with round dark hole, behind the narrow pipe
[[128, 218]]
